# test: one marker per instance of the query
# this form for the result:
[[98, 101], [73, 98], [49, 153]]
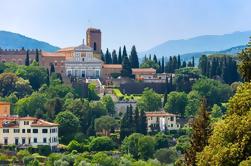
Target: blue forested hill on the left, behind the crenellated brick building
[[10, 40]]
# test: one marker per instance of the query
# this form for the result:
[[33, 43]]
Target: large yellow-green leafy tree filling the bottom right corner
[[229, 143]]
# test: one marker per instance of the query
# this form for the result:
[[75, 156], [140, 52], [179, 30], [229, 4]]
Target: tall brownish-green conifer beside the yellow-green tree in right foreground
[[200, 134]]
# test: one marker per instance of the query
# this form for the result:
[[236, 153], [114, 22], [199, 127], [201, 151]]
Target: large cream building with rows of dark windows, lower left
[[27, 131]]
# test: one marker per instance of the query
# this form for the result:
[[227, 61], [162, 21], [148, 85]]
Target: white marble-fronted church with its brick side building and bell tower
[[81, 61]]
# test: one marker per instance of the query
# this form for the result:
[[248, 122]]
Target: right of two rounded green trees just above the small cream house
[[176, 102]]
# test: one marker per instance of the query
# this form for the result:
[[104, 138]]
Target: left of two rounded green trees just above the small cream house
[[149, 101]]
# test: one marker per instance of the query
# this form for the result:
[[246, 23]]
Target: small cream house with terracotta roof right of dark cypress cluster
[[161, 121]]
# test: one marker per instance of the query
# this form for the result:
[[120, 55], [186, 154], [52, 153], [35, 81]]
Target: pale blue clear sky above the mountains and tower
[[144, 23]]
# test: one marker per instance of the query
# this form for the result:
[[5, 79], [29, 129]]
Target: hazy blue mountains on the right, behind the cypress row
[[206, 43]]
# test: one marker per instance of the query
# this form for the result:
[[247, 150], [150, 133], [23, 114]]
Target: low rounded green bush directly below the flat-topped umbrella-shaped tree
[[102, 144]]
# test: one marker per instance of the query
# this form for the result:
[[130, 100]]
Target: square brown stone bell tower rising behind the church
[[93, 40]]
